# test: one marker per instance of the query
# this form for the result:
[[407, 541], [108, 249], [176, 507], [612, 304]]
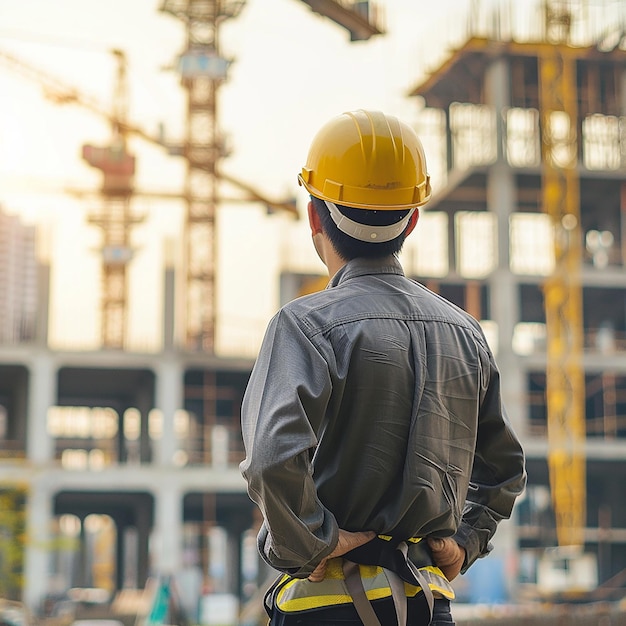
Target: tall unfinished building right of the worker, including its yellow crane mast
[[530, 206]]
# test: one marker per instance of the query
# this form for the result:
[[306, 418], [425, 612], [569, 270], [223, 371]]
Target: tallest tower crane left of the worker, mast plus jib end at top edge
[[203, 70]]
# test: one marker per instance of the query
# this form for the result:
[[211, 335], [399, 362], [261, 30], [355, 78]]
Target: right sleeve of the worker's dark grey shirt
[[498, 473]]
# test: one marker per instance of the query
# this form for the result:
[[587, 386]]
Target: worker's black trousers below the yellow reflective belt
[[346, 615]]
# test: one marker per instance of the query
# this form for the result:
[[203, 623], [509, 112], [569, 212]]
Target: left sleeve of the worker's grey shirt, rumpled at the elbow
[[283, 407]]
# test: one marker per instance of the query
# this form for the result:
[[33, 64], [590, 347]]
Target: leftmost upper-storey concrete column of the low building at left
[[41, 395]]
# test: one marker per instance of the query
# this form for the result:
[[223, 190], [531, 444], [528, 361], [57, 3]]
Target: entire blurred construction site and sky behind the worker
[[151, 224]]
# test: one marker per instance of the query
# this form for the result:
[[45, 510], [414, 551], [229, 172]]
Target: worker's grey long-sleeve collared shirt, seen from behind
[[375, 405]]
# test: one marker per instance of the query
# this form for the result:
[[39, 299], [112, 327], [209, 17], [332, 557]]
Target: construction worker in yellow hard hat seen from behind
[[377, 447]]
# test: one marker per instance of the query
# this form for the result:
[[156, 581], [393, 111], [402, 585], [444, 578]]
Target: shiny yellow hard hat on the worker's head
[[367, 160]]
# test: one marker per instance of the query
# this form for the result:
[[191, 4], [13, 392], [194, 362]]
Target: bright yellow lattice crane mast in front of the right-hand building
[[565, 383]]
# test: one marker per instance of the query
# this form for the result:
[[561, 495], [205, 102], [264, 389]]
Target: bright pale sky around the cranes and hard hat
[[292, 71]]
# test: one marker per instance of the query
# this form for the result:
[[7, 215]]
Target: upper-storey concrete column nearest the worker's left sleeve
[[169, 399]]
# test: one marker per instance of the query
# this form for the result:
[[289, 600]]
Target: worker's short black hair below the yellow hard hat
[[350, 248]]
